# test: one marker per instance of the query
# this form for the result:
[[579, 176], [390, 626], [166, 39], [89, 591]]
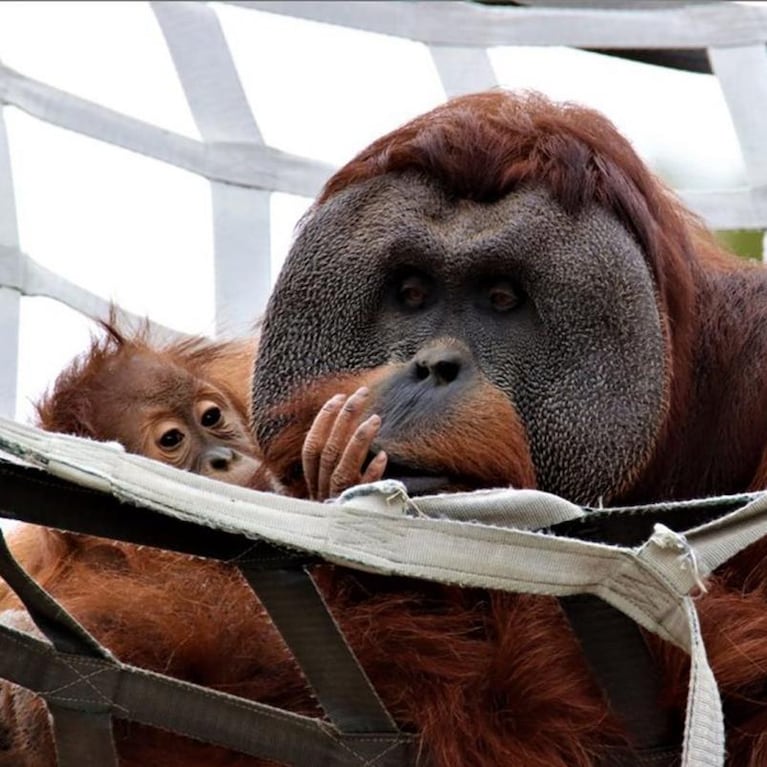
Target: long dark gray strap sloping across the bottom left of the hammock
[[98, 686]]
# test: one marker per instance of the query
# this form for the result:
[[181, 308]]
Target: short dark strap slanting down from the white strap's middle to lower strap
[[301, 615]]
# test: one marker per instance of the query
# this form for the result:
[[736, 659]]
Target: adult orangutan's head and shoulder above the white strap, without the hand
[[512, 259]]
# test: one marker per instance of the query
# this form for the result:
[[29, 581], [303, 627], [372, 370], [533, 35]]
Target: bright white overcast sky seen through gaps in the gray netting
[[126, 226]]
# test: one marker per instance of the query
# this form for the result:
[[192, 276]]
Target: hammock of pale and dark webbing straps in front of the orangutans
[[514, 540]]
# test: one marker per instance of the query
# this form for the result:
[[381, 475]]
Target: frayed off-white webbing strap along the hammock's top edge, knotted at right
[[379, 528]]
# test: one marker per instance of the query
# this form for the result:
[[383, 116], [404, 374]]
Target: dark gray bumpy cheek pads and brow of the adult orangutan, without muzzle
[[580, 355]]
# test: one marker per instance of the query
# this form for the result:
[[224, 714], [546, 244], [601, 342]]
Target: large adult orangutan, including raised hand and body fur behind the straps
[[523, 304]]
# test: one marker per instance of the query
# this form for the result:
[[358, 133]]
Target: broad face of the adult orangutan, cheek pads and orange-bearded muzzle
[[505, 321]]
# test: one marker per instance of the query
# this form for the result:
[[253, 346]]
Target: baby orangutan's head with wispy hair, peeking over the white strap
[[184, 403]]
